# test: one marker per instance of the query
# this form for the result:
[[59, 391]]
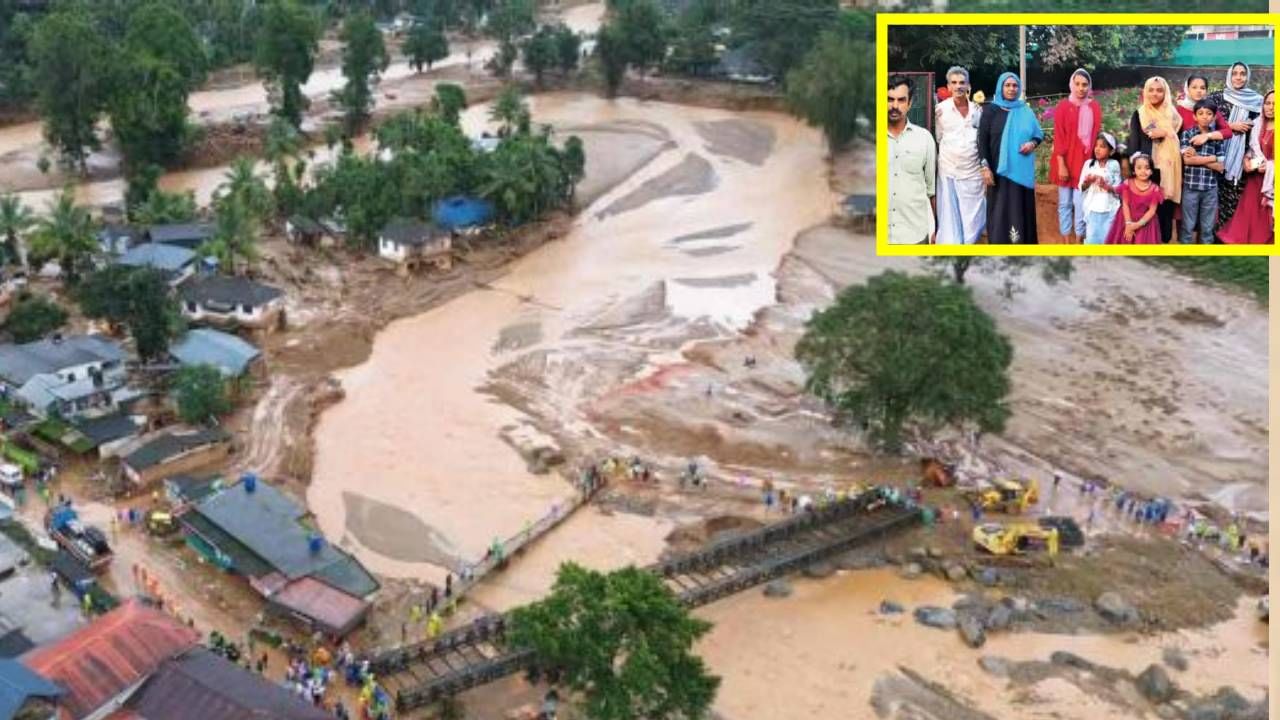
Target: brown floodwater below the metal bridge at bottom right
[[820, 654]]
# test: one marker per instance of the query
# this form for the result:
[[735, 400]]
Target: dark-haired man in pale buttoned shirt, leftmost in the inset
[[912, 167]]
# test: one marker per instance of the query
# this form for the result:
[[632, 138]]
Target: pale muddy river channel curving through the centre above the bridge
[[415, 432]]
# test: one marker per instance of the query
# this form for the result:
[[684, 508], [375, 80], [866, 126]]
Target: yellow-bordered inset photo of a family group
[[1080, 135]]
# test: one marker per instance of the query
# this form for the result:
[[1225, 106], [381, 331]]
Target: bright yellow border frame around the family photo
[[884, 21]]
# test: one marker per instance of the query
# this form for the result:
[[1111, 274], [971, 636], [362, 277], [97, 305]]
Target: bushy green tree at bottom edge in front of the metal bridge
[[623, 641]]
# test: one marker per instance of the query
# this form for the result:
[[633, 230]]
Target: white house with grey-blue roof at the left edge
[[75, 376]]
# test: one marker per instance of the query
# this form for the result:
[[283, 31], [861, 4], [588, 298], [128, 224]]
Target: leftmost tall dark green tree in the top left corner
[[74, 67]]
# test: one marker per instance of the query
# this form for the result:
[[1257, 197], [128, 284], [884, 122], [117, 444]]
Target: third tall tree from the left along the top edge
[[287, 45]]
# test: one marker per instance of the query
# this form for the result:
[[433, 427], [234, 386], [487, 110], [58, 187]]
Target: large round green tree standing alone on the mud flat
[[907, 350]]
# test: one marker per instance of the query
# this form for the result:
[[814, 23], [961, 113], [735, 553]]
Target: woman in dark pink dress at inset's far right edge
[[1254, 218]]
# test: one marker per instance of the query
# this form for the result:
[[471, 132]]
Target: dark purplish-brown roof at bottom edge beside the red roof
[[204, 686]]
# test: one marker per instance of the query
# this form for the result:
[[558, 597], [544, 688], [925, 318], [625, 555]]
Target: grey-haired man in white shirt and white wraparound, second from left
[[962, 195]]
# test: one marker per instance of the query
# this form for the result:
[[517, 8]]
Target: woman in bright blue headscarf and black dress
[[1008, 136]]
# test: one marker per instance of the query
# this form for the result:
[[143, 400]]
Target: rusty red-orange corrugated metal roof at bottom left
[[104, 659]]
